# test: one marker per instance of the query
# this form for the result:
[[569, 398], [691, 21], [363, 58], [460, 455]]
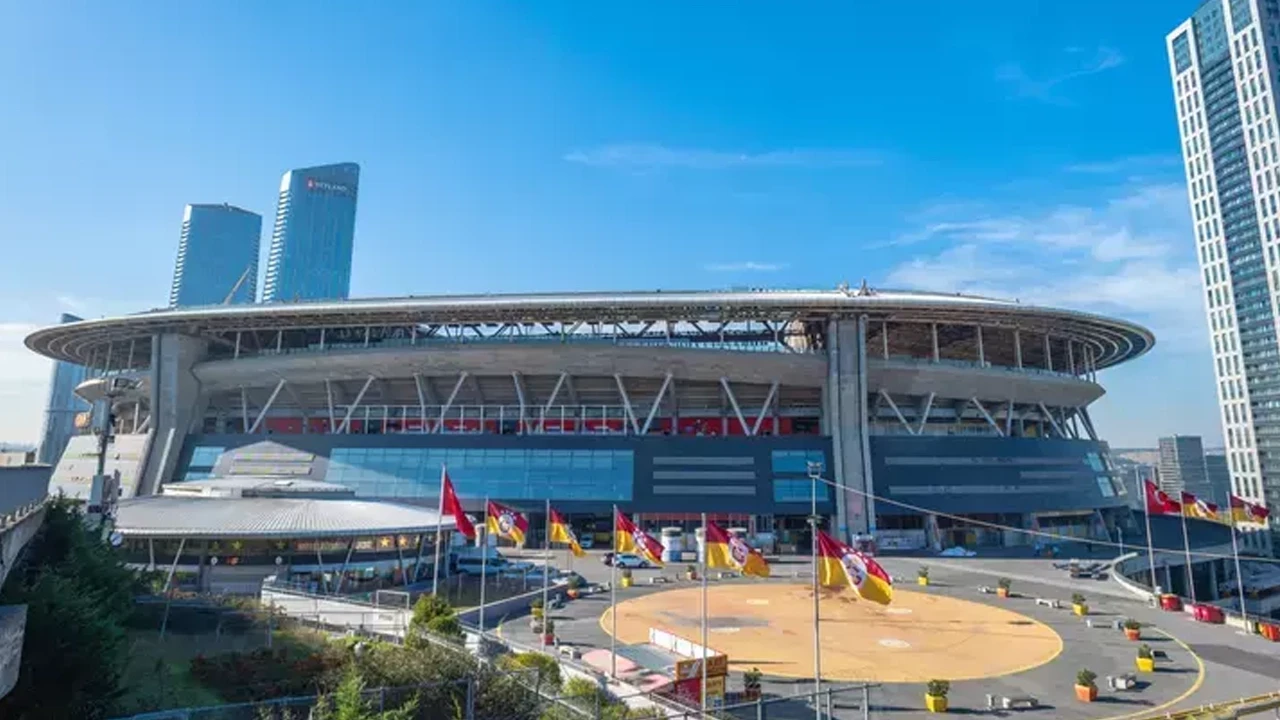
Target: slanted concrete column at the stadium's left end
[[176, 405]]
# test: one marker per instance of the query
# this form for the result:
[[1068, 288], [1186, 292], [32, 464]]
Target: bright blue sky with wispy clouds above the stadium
[[1007, 148]]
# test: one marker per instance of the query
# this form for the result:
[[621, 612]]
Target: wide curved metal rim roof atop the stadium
[[76, 343]]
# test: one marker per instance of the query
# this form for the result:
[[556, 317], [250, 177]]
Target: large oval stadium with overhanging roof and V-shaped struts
[[666, 404]]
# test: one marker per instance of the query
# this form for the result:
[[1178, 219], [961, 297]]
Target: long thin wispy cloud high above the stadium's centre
[[650, 157]]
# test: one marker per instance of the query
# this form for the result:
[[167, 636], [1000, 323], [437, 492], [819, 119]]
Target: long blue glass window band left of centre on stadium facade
[[504, 475]]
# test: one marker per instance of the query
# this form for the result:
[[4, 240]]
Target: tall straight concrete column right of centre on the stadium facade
[[845, 421]]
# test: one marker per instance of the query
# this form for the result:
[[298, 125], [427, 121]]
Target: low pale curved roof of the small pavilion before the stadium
[[269, 518]]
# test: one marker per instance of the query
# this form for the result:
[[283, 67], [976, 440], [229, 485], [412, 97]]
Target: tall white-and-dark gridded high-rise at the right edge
[[1224, 62]]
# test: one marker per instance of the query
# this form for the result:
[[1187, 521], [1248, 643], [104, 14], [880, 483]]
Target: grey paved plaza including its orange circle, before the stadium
[[982, 644]]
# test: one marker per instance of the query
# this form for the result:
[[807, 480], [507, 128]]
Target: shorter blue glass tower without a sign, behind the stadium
[[217, 257]]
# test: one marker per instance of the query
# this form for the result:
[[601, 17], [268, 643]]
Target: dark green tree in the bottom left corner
[[79, 598]]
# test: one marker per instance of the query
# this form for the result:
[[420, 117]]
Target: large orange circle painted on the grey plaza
[[917, 639]]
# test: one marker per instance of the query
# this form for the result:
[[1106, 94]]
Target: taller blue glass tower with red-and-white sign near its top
[[314, 235]]
